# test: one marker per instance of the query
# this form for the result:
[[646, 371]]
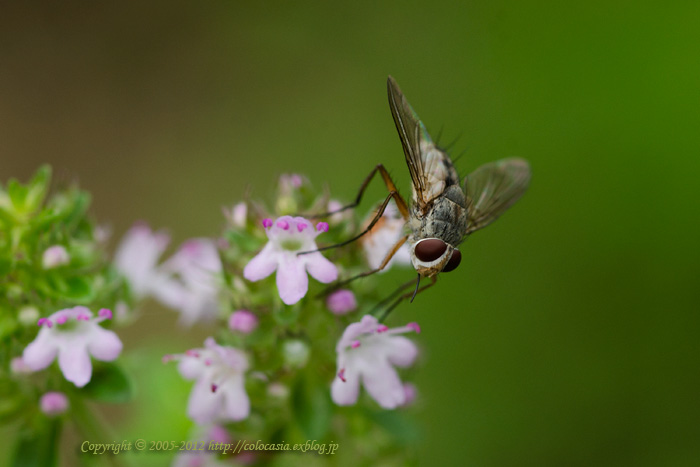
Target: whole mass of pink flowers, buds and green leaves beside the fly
[[287, 357]]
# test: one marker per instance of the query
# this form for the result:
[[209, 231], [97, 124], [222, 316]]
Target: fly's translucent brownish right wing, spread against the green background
[[493, 188]]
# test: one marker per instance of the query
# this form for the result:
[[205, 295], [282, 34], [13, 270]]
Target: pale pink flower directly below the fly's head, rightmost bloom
[[368, 352]]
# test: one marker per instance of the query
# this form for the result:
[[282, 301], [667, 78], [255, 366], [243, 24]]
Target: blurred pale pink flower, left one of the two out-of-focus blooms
[[137, 256]]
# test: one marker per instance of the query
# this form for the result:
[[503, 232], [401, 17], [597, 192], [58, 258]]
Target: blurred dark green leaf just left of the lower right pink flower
[[313, 408]]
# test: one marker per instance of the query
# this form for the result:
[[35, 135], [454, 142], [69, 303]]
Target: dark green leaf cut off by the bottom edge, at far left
[[38, 447]]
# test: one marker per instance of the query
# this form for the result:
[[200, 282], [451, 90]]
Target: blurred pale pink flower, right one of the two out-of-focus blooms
[[191, 281]]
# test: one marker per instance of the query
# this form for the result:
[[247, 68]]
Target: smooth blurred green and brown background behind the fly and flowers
[[568, 335]]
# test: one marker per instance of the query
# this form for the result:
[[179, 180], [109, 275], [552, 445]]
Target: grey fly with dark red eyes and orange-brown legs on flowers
[[444, 211]]
